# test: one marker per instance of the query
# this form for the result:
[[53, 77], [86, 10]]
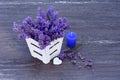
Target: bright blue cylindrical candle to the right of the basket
[[71, 39]]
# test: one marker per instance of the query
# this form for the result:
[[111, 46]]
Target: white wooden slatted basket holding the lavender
[[48, 53]]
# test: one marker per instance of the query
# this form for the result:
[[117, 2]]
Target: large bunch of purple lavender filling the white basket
[[45, 28]]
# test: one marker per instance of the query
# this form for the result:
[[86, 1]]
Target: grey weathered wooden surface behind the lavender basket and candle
[[97, 23]]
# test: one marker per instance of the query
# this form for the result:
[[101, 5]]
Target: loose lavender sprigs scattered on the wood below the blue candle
[[75, 58]]
